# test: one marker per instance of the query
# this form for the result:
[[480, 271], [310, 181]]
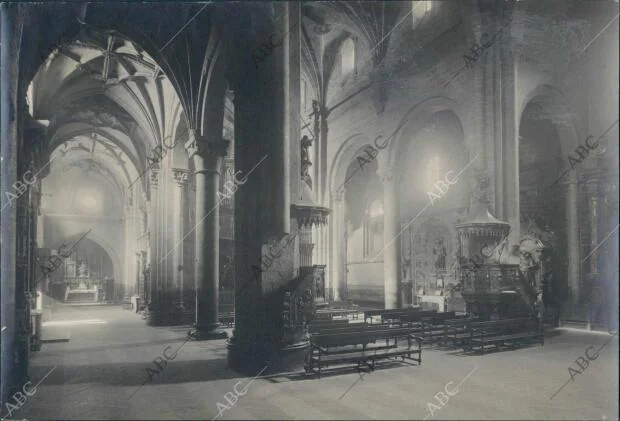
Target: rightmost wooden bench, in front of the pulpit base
[[508, 332]]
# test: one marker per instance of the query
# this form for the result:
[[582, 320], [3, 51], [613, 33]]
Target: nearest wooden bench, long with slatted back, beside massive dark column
[[361, 347]]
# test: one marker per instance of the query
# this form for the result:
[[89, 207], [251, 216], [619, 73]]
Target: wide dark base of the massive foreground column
[[252, 357]]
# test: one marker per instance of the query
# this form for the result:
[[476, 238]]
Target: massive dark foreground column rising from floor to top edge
[[267, 128]]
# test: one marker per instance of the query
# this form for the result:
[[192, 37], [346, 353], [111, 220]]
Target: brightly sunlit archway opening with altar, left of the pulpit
[[429, 209]]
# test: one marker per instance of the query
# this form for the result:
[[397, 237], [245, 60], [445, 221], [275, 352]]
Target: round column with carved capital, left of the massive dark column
[[207, 155]]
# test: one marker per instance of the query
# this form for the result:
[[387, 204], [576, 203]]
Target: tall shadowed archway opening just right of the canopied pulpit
[[543, 202]]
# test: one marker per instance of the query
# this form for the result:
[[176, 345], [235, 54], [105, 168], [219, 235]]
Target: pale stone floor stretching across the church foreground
[[101, 374]]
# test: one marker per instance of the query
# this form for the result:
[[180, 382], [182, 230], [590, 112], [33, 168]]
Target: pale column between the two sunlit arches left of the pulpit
[[391, 239]]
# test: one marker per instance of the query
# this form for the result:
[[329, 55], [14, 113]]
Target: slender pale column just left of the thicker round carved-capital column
[[180, 177]]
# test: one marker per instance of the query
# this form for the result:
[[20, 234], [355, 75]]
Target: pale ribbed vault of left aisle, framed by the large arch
[[108, 105]]
